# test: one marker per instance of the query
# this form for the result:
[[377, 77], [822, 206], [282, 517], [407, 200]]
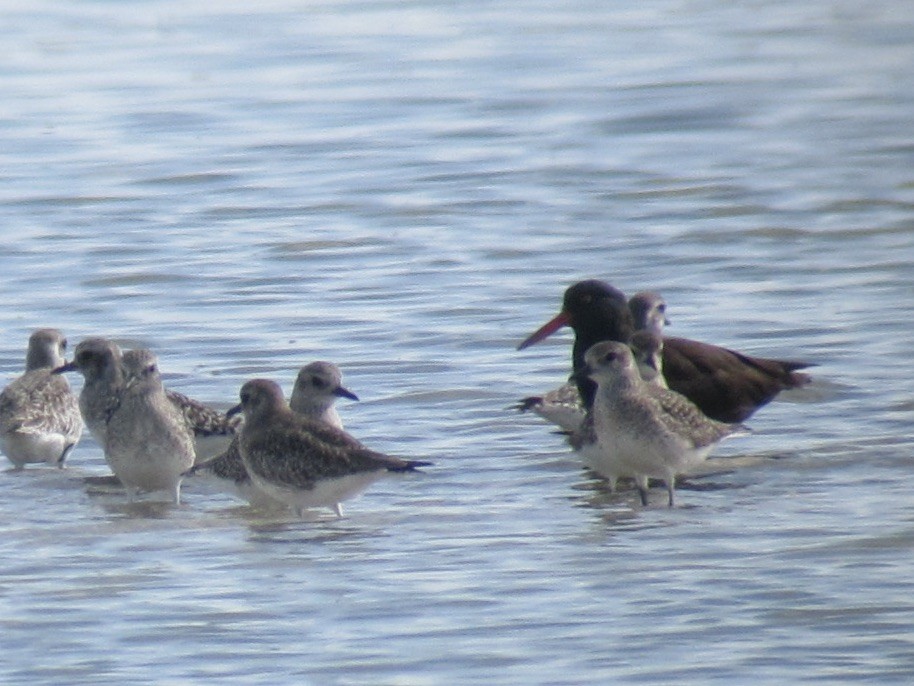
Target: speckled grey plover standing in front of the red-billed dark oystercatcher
[[643, 430]]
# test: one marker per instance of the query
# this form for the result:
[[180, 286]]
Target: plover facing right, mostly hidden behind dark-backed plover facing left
[[317, 387]]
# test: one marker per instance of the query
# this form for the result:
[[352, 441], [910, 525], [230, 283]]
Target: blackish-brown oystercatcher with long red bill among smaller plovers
[[726, 385]]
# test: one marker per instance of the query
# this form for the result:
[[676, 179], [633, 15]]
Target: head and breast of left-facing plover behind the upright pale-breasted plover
[[99, 361]]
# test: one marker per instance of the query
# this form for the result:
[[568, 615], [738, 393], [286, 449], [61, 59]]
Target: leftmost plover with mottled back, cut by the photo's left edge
[[39, 414]]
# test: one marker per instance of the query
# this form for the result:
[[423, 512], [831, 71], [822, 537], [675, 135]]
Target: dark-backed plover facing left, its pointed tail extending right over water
[[303, 462]]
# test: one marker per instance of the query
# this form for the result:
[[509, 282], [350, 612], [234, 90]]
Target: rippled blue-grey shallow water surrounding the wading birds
[[406, 189]]
